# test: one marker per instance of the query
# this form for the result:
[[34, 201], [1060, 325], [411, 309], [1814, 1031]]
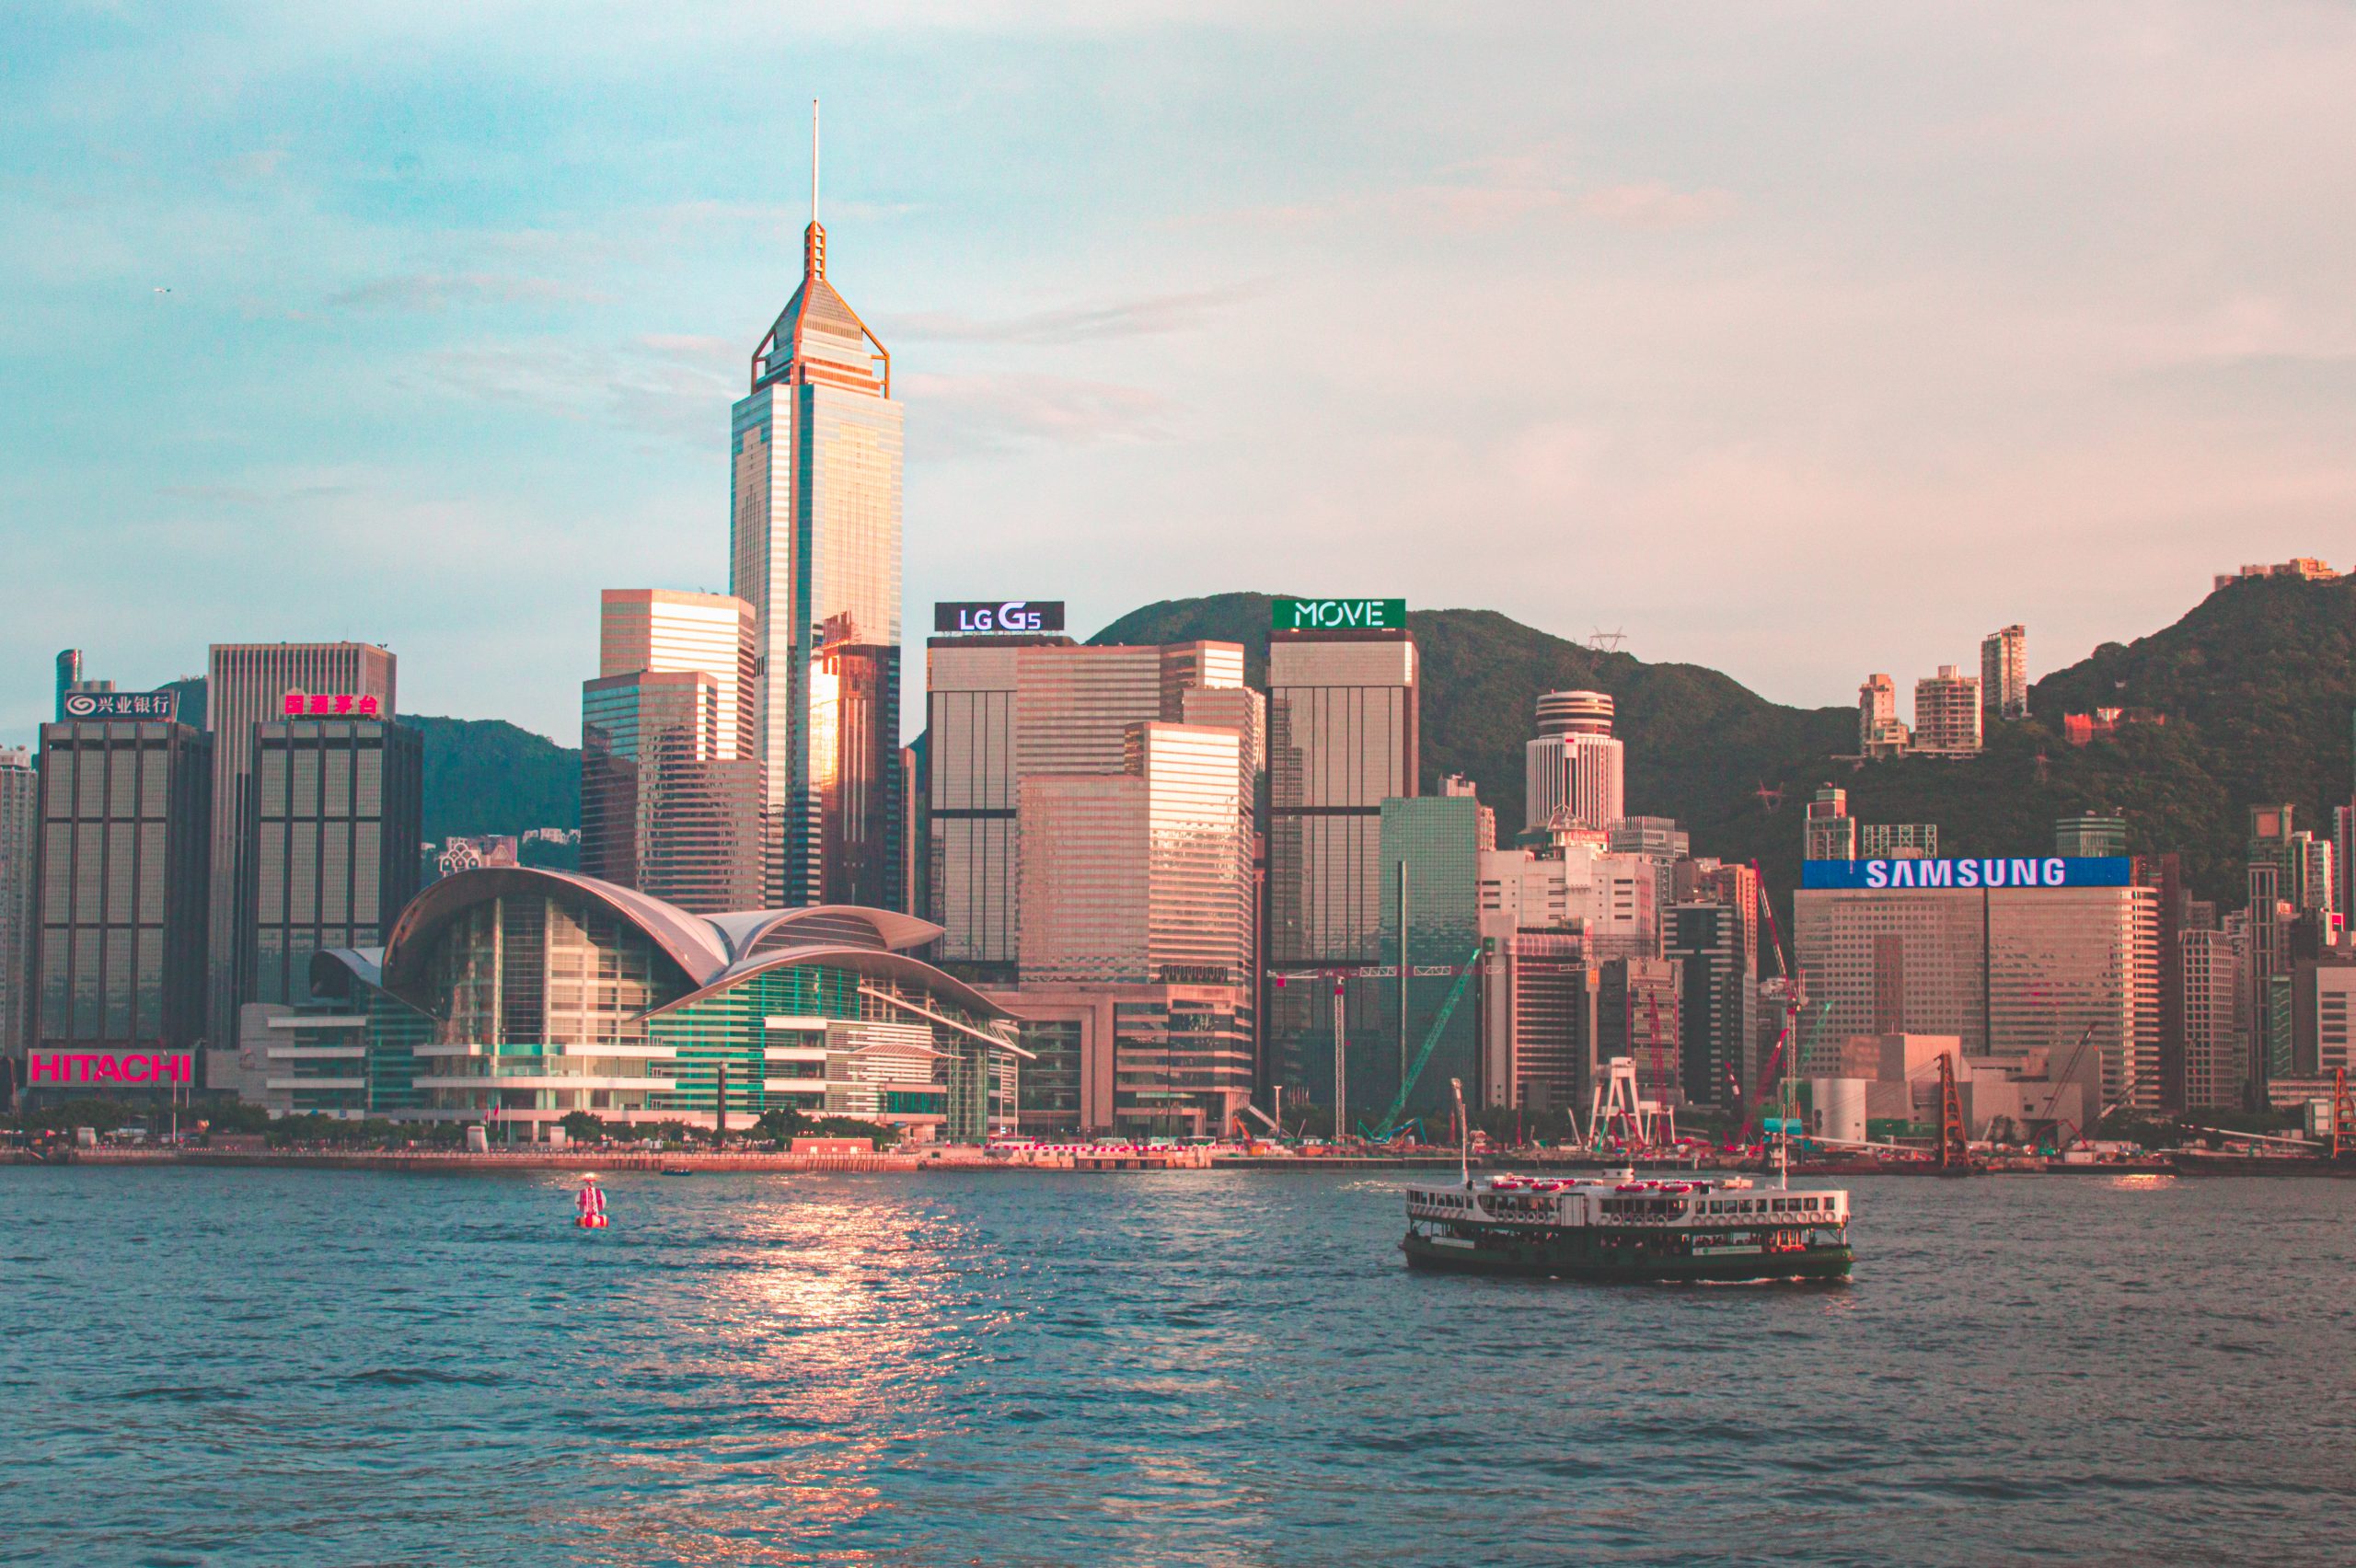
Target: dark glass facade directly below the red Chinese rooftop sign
[[331, 844]]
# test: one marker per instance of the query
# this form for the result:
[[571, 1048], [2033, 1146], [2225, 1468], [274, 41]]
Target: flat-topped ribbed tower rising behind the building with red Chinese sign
[[246, 686]]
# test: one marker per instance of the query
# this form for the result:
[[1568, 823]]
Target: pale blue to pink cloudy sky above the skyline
[[1801, 340]]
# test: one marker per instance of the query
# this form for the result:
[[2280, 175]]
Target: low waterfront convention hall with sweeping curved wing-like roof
[[517, 997]]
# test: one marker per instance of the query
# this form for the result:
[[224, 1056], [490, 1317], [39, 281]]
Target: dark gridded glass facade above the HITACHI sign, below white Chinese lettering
[[126, 813]]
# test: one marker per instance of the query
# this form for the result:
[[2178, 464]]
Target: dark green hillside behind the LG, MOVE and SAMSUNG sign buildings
[[2256, 689]]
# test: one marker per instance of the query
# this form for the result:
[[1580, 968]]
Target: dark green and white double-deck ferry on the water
[[1624, 1230]]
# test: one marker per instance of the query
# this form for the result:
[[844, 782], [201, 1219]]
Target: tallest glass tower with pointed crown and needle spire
[[814, 545]]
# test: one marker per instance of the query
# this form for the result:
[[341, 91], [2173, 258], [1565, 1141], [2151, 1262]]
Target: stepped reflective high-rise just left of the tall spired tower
[[670, 780]]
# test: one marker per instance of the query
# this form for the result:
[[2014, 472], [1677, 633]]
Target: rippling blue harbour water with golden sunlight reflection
[[232, 1367]]
